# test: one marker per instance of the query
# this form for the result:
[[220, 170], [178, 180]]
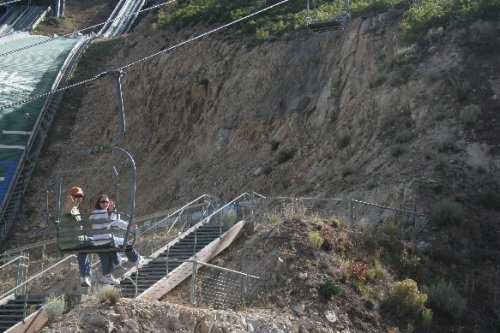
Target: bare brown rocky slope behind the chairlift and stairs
[[342, 113]]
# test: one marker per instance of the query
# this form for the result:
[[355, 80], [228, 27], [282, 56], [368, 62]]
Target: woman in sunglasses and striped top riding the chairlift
[[104, 211]]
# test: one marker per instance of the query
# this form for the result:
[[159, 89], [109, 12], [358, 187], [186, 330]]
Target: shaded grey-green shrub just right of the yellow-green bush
[[444, 296]]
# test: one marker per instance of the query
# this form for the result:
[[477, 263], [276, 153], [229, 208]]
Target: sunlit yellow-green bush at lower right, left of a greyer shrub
[[406, 299]]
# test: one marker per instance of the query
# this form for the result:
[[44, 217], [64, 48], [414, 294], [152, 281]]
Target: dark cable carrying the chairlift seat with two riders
[[98, 76]]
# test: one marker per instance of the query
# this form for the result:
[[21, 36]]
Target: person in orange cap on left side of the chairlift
[[72, 213]]
